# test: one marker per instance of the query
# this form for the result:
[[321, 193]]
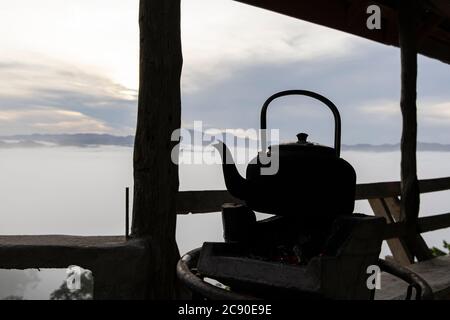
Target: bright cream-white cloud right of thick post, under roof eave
[[220, 37]]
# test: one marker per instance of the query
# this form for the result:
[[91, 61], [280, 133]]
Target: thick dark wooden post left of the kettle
[[159, 112]]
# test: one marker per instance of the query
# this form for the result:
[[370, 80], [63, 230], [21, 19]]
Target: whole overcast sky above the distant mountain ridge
[[72, 66]]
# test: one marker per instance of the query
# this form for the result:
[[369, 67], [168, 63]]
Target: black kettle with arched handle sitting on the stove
[[310, 181]]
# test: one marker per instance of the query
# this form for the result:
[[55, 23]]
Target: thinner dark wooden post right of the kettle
[[410, 195]]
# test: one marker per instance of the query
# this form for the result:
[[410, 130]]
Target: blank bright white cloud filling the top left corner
[[100, 34]]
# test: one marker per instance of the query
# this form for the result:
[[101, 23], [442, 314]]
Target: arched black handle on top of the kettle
[[327, 102]]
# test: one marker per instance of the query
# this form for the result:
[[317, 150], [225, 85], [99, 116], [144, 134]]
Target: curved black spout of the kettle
[[235, 183]]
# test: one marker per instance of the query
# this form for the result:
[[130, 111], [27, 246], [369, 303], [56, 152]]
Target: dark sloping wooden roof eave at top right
[[350, 16]]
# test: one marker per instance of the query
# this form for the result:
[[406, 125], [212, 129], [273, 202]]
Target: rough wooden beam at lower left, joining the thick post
[[119, 266]]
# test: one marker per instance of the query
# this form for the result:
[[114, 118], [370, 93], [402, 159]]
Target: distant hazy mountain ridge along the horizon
[[94, 139]]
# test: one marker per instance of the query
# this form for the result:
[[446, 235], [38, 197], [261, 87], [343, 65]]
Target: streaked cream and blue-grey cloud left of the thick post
[[48, 96]]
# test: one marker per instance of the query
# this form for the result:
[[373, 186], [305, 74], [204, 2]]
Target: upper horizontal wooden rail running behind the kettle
[[211, 201]]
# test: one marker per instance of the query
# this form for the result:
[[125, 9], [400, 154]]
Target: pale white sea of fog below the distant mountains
[[80, 191]]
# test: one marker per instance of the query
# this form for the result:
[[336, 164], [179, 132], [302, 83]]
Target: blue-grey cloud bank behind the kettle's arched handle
[[365, 86]]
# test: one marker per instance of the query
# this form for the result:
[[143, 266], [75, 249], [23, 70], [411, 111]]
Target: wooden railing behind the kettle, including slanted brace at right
[[383, 198]]
